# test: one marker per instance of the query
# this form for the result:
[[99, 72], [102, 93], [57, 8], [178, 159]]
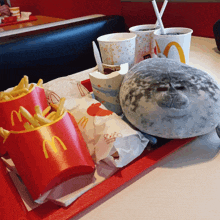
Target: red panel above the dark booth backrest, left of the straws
[[69, 9]]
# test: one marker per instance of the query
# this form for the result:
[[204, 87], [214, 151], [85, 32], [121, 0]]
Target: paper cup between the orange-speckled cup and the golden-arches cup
[[145, 45]]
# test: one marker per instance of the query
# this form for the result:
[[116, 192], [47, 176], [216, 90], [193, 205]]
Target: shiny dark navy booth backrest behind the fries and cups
[[53, 52]]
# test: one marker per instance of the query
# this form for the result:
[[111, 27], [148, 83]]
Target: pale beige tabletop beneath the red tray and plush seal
[[184, 185]]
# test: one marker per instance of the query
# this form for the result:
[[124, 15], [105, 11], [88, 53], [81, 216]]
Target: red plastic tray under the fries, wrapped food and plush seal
[[12, 207]]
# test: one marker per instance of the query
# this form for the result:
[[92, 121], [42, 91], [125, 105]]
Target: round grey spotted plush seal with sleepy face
[[168, 99]]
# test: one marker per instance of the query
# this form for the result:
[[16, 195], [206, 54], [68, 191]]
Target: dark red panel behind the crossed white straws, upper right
[[199, 16]]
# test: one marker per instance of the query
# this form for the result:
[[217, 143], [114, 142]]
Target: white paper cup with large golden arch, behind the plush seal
[[175, 44]]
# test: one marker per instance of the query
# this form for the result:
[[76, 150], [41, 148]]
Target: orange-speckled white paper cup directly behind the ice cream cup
[[117, 48]]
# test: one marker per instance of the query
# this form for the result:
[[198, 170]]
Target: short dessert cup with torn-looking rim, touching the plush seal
[[106, 87]]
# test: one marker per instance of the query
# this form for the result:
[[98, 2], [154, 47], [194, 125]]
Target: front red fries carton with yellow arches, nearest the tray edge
[[49, 155]]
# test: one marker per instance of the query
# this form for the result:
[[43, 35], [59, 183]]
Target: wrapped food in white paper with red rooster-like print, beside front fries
[[107, 136]]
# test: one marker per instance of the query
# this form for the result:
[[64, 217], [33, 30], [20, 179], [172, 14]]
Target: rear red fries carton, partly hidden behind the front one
[[10, 117]]
